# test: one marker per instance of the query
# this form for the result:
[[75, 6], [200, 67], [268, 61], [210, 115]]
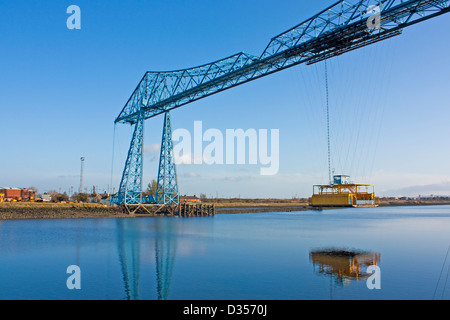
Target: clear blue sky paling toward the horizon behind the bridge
[[62, 89]]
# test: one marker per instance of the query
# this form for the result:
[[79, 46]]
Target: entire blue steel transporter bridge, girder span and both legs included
[[342, 27]]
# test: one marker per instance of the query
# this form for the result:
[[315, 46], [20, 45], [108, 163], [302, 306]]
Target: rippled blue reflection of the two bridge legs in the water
[[129, 238]]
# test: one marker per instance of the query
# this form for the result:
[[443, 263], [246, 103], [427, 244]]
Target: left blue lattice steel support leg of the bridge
[[130, 191]]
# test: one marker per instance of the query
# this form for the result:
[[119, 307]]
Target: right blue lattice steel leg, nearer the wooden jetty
[[167, 187]]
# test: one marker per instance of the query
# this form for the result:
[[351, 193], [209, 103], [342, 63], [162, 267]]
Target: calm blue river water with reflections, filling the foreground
[[257, 256]]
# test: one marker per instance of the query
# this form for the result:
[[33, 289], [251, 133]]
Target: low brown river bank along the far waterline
[[35, 210]]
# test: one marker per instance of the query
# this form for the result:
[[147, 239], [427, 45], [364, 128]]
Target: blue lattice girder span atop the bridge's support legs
[[338, 29]]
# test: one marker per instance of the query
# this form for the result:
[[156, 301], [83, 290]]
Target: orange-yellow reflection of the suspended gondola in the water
[[343, 265]]
